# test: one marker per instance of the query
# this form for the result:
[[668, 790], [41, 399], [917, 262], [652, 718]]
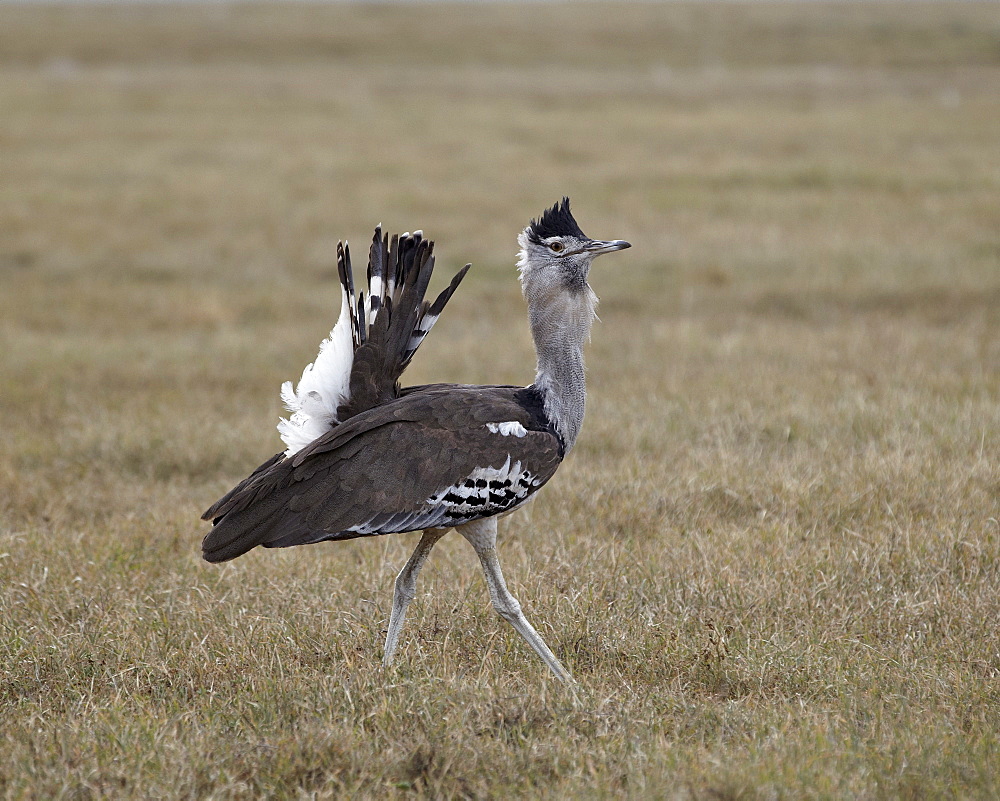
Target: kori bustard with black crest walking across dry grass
[[365, 456]]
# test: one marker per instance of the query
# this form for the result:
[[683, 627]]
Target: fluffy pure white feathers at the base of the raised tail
[[324, 386]]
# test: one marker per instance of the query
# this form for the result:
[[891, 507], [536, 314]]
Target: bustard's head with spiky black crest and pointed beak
[[556, 255]]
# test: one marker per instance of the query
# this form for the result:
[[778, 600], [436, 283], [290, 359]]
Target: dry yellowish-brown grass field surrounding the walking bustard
[[773, 560]]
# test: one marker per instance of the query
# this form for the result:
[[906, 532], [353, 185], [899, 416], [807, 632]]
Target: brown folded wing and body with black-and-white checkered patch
[[431, 459]]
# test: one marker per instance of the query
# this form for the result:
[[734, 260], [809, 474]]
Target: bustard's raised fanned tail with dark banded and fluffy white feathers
[[375, 338]]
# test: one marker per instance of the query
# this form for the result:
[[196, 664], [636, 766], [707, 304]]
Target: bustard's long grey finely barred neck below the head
[[560, 324]]
